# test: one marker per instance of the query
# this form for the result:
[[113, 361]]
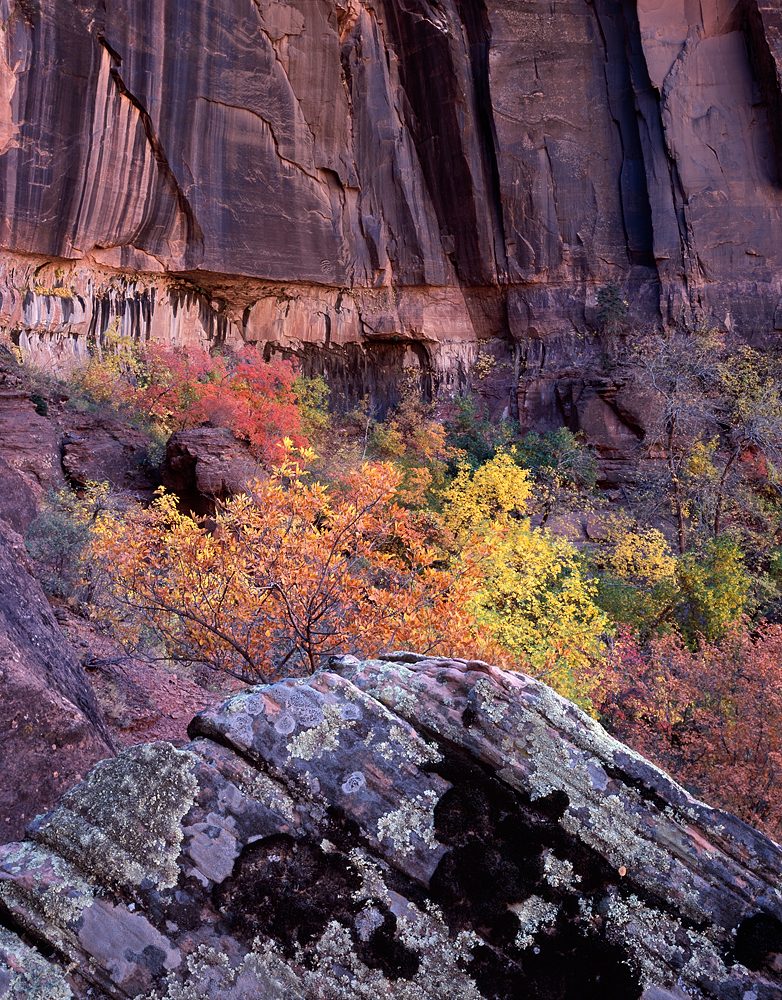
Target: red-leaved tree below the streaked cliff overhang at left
[[177, 389]]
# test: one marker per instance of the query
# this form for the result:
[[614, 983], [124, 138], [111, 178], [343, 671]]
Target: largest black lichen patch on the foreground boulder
[[500, 842]]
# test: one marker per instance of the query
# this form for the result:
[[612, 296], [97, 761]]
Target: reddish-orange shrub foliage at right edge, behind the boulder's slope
[[712, 718]]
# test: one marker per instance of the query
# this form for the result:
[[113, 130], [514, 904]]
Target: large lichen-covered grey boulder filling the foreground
[[407, 827]]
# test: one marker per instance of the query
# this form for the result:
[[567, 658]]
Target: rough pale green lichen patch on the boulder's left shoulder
[[123, 823]]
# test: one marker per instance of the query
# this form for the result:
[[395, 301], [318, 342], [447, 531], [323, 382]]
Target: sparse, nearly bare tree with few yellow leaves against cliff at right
[[714, 435]]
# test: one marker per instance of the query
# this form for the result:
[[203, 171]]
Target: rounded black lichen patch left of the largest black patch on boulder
[[287, 890]]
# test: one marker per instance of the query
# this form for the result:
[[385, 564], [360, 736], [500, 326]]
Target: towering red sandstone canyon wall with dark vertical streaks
[[379, 184]]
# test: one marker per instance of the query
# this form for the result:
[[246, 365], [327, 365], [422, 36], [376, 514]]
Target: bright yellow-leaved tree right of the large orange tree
[[532, 595]]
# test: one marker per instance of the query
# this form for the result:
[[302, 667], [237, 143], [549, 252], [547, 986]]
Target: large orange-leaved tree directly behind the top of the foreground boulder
[[287, 575]]
